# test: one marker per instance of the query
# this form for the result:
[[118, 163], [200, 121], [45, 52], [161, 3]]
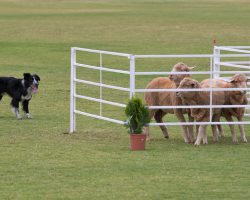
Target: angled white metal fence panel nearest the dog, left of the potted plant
[[74, 96]]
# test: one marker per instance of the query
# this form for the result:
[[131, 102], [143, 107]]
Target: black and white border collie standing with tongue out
[[20, 90]]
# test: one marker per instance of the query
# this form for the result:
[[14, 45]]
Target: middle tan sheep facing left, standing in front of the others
[[201, 98]]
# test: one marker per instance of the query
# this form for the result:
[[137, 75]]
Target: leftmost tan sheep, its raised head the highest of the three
[[168, 99]]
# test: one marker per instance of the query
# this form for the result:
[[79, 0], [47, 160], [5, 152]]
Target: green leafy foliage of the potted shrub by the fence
[[137, 116]]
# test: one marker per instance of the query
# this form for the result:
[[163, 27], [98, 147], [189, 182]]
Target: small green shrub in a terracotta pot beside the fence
[[137, 117]]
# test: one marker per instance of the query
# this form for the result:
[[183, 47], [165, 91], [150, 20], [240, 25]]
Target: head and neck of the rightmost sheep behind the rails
[[238, 81]]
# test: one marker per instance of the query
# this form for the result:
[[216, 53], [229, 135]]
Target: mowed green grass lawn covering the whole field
[[38, 160]]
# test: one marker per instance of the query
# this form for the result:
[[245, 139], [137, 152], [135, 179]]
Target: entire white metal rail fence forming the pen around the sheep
[[232, 52]]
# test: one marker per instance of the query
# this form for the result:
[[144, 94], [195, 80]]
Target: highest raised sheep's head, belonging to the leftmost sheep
[[179, 67]]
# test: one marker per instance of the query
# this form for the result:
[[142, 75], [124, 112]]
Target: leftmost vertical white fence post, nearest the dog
[[72, 92]]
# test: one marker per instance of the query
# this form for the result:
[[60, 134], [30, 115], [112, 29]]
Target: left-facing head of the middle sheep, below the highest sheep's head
[[188, 83]]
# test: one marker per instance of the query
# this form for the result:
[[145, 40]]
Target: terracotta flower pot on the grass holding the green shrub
[[137, 142]]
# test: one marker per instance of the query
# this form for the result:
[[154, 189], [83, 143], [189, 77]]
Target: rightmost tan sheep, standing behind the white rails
[[233, 98]]
